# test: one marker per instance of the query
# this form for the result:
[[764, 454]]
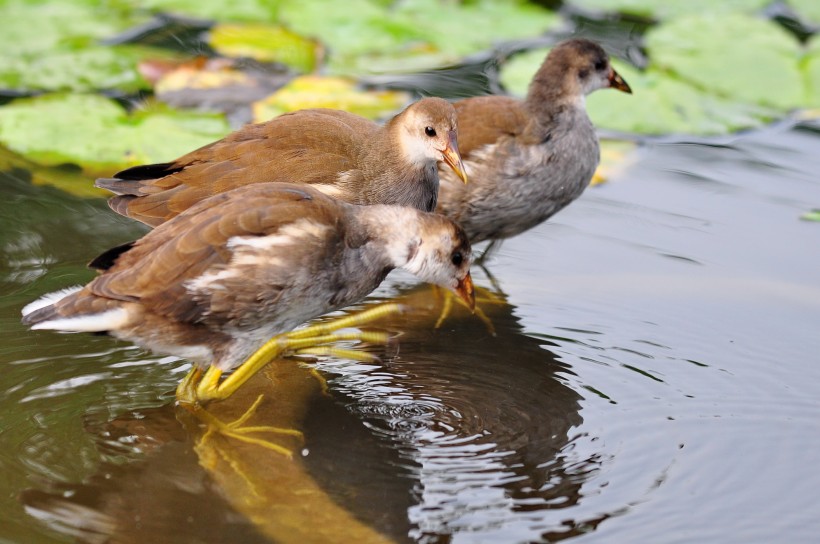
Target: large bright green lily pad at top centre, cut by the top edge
[[369, 36]]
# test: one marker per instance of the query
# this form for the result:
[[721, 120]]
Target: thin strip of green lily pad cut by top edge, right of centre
[[664, 9]]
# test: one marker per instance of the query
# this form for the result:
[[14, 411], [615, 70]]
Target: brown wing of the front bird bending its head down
[[156, 269]]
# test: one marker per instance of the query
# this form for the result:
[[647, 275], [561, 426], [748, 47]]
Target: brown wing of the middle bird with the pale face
[[308, 146]]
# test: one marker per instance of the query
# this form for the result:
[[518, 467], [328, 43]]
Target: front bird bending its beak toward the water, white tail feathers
[[216, 282]]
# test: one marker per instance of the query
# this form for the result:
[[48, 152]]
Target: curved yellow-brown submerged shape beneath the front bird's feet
[[276, 493]]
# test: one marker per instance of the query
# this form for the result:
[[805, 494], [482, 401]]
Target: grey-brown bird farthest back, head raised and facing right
[[527, 159]]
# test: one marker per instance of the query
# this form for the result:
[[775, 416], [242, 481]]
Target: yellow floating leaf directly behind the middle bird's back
[[329, 92]]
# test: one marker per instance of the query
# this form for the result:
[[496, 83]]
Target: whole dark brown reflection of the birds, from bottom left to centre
[[460, 431]]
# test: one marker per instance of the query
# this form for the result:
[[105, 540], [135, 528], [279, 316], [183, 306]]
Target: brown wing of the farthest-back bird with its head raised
[[484, 119]]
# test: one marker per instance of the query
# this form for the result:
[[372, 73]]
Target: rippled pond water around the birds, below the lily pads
[[653, 377]]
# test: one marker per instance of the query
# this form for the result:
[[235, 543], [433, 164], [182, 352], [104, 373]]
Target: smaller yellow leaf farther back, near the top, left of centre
[[267, 43]]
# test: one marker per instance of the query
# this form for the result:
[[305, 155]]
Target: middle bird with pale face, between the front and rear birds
[[341, 154]]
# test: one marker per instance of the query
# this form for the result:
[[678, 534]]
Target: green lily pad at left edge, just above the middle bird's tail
[[97, 134]]
